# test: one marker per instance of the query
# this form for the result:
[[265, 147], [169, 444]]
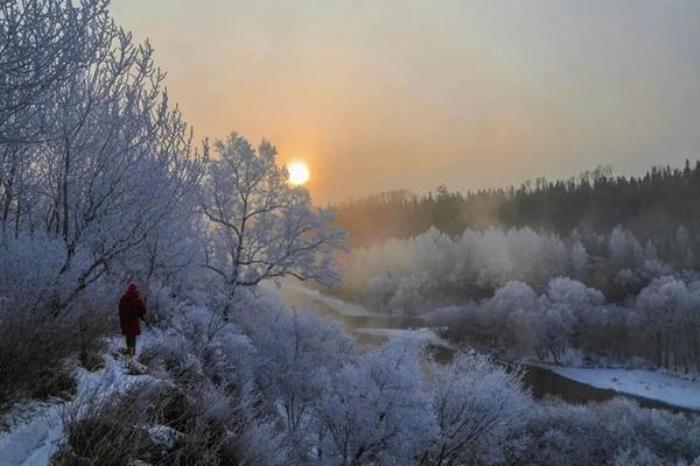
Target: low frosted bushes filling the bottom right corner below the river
[[561, 433]]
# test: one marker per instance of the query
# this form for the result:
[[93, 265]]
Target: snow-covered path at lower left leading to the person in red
[[35, 429]]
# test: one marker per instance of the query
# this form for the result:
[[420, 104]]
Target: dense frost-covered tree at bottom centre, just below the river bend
[[375, 411]]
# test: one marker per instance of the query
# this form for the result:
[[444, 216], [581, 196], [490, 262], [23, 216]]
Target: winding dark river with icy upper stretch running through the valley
[[370, 328]]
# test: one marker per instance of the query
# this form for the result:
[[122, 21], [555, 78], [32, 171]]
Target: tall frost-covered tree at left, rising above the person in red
[[102, 163]]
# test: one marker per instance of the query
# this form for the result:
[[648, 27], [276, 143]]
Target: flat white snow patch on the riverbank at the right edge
[[643, 383]]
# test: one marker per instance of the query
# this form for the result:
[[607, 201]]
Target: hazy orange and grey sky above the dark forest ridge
[[382, 94]]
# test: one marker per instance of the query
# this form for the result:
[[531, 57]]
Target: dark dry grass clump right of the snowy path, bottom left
[[119, 430]]
